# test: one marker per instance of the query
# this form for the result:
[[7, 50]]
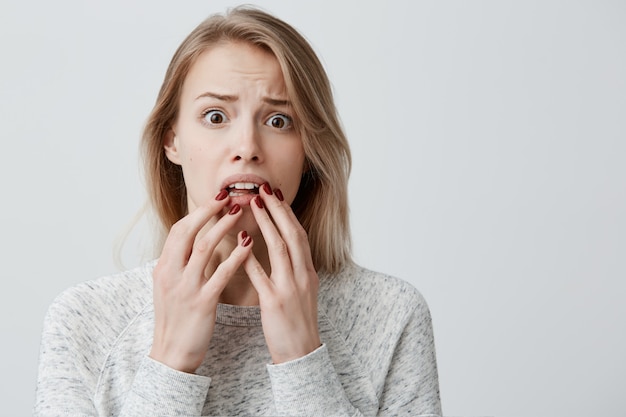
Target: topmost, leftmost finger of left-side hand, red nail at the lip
[[177, 247]]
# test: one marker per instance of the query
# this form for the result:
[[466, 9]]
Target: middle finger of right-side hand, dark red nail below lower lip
[[276, 247]]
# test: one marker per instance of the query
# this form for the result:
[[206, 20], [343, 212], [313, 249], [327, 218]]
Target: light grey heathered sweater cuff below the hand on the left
[[159, 390]]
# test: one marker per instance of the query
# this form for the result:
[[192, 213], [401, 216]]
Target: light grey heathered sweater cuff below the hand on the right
[[308, 386]]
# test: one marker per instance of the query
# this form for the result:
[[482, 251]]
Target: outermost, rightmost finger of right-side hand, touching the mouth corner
[[289, 228]]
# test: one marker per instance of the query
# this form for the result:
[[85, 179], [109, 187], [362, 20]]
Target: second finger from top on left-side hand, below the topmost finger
[[203, 247]]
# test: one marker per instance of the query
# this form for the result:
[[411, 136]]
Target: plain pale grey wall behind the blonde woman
[[489, 147]]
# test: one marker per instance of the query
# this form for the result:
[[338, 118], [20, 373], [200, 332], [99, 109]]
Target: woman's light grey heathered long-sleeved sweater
[[377, 357]]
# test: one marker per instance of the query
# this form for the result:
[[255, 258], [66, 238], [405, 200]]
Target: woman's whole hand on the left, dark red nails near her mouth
[[185, 299]]
